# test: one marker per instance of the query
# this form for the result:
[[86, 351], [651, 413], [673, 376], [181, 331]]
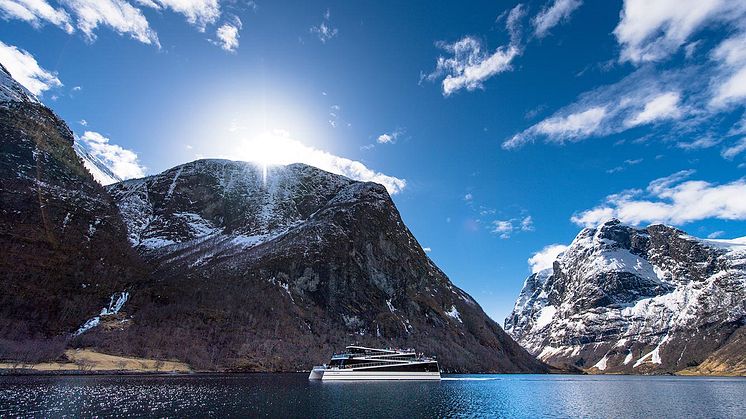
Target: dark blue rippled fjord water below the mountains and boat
[[292, 395]]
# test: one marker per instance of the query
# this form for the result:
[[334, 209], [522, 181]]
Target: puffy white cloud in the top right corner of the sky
[[650, 31]]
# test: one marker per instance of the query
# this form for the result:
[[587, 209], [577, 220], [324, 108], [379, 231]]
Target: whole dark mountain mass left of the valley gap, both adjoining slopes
[[221, 264]]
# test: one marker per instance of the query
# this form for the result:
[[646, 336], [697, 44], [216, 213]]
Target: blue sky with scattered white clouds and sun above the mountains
[[499, 127]]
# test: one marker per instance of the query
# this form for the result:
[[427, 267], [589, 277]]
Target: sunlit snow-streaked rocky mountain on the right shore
[[638, 300]]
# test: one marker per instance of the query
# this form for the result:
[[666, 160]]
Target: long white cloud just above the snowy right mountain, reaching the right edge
[[671, 200]]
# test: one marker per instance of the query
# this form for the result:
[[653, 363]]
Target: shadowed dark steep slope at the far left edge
[[63, 245]]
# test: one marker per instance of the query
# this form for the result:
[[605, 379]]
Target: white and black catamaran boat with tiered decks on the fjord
[[361, 363]]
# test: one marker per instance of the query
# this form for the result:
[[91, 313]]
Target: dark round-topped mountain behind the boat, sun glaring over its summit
[[275, 269]]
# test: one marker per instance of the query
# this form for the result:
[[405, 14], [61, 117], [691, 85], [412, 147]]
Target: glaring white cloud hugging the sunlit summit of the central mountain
[[278, 147]]
